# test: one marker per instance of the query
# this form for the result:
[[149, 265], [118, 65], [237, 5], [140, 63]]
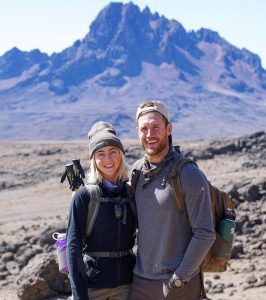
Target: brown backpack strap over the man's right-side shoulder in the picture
[[175, 182]]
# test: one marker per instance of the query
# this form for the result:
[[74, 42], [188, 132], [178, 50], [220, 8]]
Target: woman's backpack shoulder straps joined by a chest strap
[[95, 202]]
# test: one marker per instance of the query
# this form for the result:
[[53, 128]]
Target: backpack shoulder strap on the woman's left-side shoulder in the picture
[[94, 206]]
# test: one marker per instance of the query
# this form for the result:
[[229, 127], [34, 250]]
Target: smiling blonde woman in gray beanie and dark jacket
[[109, 261]]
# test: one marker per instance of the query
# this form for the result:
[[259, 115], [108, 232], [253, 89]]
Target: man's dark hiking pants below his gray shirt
[[146, 289]]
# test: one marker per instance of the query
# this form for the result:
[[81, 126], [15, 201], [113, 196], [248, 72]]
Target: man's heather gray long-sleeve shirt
[[170, 241]]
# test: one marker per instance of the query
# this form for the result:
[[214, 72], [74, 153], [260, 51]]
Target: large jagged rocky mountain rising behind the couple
[[211, 87]]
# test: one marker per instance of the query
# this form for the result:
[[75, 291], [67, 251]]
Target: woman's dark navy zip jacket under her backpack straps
[[108, 234]]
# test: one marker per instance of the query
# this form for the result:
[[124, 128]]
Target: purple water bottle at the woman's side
[[61, 251]]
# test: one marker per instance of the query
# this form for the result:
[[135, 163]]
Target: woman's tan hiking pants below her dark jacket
[[119, 293]]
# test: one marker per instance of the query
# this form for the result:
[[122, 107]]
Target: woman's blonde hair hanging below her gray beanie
[[96, 176]]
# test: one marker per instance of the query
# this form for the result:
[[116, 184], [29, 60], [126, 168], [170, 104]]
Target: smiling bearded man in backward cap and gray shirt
[[171, 244]]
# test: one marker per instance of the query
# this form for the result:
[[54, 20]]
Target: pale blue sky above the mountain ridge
[[52, 25]]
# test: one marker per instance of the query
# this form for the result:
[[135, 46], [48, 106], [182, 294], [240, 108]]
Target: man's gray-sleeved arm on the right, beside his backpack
[[198, 206]]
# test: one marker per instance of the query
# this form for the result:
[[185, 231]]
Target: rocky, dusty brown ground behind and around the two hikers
[[34, 204]]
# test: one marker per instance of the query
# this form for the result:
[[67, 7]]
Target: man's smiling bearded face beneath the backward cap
[[153, 135]]
